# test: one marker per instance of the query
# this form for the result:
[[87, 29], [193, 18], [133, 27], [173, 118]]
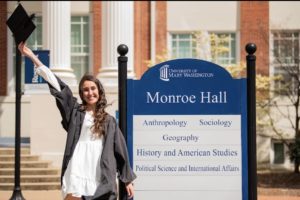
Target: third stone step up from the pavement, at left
[[31, 171]]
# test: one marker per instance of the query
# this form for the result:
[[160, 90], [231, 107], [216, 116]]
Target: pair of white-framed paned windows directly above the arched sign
[[222, 47]]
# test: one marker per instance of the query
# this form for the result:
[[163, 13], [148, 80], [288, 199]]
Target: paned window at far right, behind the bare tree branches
[[286, 61]]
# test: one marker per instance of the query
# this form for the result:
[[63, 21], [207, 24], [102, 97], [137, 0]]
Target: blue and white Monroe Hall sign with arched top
[[187, 132]]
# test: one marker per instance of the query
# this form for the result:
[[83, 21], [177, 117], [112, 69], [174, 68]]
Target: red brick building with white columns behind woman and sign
[[83, 37]]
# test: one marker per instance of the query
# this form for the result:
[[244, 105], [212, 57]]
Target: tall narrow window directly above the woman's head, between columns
[[80, 45]]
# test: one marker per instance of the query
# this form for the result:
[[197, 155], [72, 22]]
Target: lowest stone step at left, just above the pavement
[[32, 186]]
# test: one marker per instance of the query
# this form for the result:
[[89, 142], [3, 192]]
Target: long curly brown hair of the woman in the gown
[[100, 113]]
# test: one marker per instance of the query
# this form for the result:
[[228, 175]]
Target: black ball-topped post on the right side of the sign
[[251, 121]]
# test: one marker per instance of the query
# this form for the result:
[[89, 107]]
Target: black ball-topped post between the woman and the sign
[[122, 88]]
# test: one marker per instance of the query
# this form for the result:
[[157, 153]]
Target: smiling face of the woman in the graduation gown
[[90, 93]]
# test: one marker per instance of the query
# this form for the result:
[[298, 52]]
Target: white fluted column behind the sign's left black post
[[117, 28]]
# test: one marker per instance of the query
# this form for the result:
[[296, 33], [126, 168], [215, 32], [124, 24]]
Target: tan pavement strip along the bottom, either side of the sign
[[56, 195]]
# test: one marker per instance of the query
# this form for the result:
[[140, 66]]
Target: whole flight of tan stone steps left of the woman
[[35, 174]]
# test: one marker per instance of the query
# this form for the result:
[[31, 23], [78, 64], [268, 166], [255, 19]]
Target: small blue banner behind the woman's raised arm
[[31, 77]]
